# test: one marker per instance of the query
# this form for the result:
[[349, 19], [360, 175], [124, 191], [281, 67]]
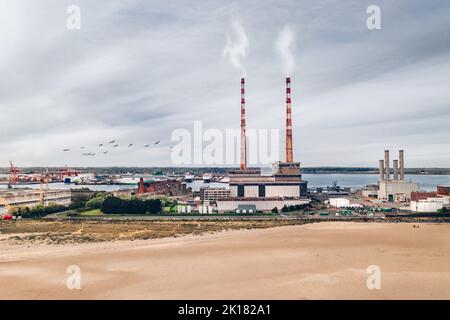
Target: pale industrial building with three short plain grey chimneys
[[396, 189]]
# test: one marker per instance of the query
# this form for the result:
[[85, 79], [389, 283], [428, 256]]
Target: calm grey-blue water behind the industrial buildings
[[426, 182]]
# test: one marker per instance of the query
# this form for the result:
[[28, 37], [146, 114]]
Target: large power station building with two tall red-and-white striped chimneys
[[248, 186]]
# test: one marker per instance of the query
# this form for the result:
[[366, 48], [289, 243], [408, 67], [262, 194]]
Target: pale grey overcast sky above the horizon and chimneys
[[137, 70]]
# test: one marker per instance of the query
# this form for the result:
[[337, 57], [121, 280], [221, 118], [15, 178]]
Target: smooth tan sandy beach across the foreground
[[312, 261]]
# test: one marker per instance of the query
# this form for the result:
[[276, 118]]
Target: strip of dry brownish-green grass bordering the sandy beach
[[68, 231]]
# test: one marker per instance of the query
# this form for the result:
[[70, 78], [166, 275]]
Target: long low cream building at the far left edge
[[32, 197]]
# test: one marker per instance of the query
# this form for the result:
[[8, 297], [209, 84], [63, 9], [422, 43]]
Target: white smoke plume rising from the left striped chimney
[[236, 49]]
